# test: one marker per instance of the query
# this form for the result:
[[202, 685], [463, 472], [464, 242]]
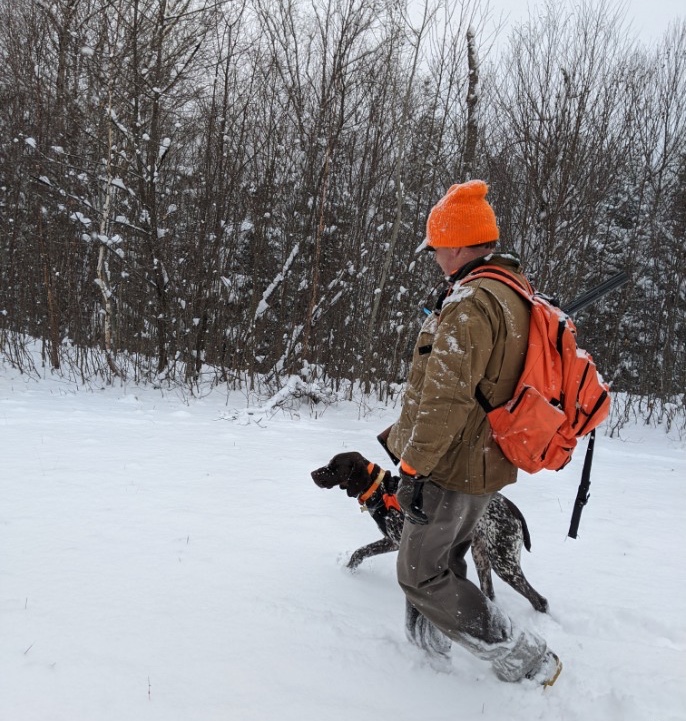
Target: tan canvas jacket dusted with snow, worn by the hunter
[[479, 337]]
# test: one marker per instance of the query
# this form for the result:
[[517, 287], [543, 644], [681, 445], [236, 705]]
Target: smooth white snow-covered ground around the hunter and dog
[[160, 561]]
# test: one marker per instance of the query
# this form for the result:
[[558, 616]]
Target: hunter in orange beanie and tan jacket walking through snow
[[450, 467]]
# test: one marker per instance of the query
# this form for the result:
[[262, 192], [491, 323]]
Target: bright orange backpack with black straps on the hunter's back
[[560, 395]]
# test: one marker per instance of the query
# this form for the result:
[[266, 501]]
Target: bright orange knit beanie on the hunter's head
[[462, 217]]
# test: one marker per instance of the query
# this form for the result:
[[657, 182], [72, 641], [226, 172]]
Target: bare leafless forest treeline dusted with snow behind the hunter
[[236, 188]]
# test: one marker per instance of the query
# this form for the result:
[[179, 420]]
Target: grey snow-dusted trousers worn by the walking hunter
[[432, 571]]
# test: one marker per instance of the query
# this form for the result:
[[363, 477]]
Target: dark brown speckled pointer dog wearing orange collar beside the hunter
[[496, 544]]
